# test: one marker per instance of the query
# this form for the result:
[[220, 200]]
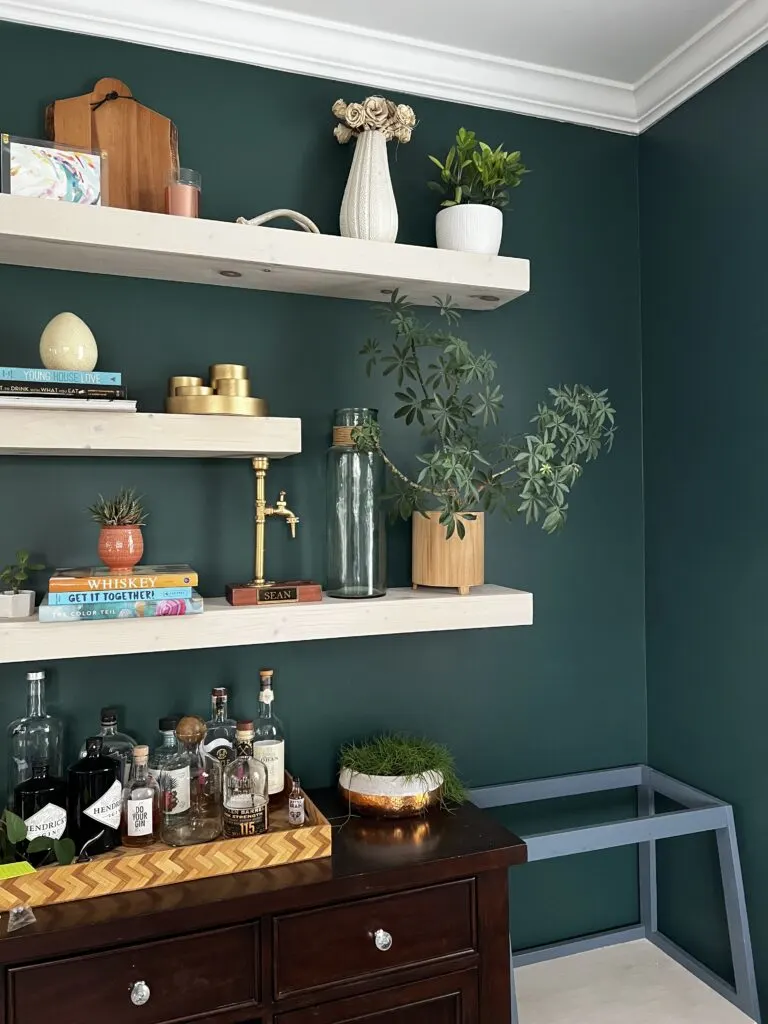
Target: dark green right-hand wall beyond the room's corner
[[704, 173]]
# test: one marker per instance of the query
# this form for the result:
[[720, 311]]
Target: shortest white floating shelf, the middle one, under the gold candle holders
[[34, 432]]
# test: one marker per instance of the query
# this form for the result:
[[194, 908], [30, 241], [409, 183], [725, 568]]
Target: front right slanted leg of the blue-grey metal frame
[[739, 926]]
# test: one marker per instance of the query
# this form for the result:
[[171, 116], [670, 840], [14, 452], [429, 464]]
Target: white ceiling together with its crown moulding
[[618, 65]]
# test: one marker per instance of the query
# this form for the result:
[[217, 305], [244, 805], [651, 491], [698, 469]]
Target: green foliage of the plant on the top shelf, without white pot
[[476, 174]]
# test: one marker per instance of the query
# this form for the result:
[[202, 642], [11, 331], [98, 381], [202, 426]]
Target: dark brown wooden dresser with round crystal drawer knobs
[[406, 924]]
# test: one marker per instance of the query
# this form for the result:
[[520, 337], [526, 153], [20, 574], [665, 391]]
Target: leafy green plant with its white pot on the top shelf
[[476, 182]]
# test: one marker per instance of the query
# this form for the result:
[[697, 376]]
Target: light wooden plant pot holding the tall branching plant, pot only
[[439, 562]]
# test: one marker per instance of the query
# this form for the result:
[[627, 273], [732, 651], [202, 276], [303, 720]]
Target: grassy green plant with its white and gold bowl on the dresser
[[398, 777]]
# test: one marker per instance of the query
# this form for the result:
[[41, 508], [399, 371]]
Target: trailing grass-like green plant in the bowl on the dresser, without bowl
[[411, 757]]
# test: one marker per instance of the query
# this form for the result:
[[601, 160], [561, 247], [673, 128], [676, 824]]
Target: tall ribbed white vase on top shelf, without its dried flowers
[[368, 209]]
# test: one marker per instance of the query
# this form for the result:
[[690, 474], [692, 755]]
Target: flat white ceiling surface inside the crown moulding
[[622, 40]]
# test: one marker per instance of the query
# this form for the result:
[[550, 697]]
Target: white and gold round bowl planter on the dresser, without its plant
[[391, 796]]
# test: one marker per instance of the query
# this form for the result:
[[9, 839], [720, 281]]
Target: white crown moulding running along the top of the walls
[[235, 30]]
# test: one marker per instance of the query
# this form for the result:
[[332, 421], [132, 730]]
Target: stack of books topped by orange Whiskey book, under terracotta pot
[[99, 593]]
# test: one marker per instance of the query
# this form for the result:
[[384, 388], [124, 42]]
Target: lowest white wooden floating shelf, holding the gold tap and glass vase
[[403, 611]]
